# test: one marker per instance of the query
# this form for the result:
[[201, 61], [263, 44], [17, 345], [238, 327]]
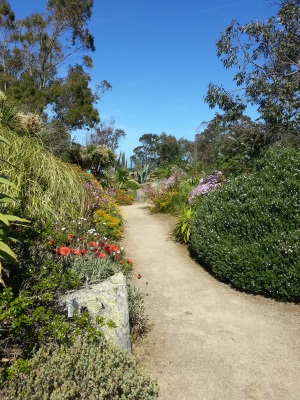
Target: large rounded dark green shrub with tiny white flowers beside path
[[247, 231]]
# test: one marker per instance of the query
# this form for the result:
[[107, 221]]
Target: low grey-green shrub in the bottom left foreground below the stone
[[86, 370]]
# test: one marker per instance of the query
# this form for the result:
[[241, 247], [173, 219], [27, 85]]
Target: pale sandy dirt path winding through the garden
[[208, 341]]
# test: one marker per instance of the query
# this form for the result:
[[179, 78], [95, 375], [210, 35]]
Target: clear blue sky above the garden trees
[[159, 56]]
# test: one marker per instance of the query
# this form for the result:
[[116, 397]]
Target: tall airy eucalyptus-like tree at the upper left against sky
[[33, 57]]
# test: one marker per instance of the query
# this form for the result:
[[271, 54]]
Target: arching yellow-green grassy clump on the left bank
[[48, 188]]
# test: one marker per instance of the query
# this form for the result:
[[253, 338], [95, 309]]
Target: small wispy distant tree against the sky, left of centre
[[106, 134]]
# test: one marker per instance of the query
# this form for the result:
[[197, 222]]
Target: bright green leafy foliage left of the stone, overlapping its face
[[29, 321]]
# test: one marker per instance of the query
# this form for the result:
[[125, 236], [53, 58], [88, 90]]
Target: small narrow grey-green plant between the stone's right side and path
[[137, 315]]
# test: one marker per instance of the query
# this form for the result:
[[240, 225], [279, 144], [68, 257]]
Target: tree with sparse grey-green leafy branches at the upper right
[[266, 55]]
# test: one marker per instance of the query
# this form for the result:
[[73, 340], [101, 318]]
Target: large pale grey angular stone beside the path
[[108, 299]]
